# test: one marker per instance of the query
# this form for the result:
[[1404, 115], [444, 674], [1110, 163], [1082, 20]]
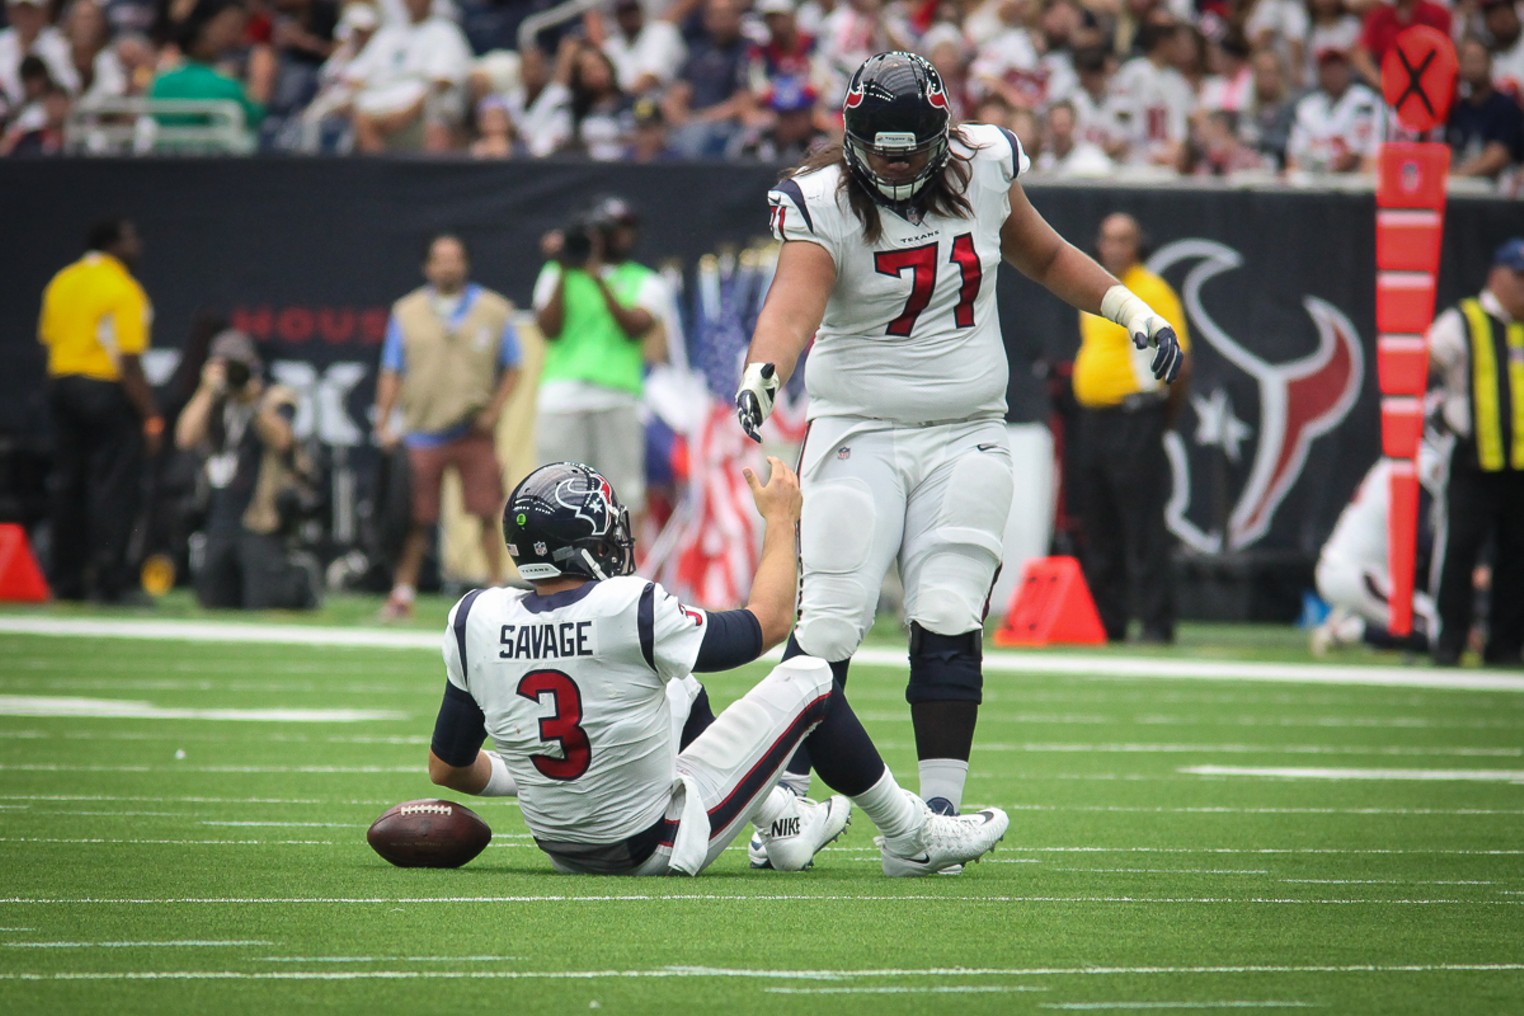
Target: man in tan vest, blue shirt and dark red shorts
[[450, 360]]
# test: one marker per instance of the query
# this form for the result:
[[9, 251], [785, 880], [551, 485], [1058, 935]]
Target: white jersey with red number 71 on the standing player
[[911, 333]]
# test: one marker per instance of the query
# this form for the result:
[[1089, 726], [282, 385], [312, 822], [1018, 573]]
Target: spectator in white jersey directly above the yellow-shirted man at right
[[1156, 100]]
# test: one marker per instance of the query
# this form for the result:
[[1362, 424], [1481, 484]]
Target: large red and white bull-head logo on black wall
[[1299, 401]]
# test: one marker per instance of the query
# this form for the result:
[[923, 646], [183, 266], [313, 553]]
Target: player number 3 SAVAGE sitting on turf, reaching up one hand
[[571, 680]]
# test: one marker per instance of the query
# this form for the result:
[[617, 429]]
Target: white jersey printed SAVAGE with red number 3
[[574, 689]]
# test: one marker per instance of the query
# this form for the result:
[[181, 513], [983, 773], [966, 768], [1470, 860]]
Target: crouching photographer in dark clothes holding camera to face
[[255, 474]]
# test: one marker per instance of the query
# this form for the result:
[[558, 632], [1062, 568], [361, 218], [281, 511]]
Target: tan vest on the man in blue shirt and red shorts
[[452, 372]]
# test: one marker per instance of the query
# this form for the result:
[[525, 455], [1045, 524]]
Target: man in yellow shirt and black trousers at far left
[[95, 325]]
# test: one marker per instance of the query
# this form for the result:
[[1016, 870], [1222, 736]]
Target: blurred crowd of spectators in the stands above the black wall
[[1093, 88]]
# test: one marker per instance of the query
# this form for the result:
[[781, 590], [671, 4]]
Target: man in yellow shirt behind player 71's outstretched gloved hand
[[1122, 476]]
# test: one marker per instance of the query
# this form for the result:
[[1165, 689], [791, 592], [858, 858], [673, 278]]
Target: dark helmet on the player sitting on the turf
[[565, 520]]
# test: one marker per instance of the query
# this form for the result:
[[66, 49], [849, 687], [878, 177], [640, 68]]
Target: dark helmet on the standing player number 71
[[895, 109]]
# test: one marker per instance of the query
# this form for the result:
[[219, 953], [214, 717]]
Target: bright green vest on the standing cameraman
[[592, 348]]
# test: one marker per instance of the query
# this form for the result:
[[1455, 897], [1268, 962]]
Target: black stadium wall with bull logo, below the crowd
[[309, 255]]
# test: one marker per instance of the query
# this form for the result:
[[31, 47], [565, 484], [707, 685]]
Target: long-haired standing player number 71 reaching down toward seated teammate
[[891, 248]]
